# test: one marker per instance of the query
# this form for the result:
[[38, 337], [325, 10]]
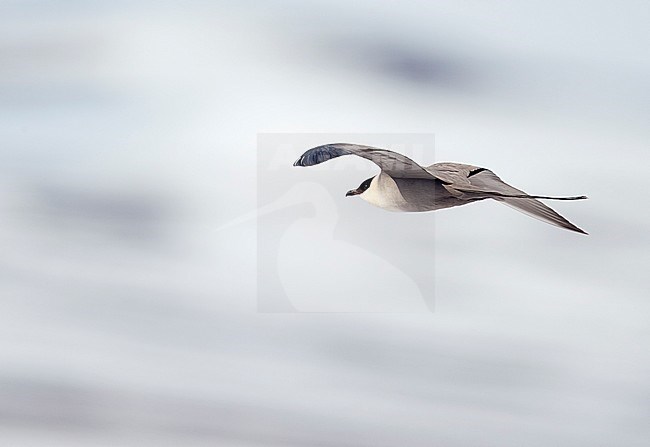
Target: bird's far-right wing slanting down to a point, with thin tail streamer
[[487, 180]]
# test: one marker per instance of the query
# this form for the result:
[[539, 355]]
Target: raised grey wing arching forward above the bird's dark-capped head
[[394, 164]]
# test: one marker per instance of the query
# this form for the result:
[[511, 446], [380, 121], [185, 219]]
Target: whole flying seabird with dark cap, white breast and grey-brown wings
[[403, 185]]
